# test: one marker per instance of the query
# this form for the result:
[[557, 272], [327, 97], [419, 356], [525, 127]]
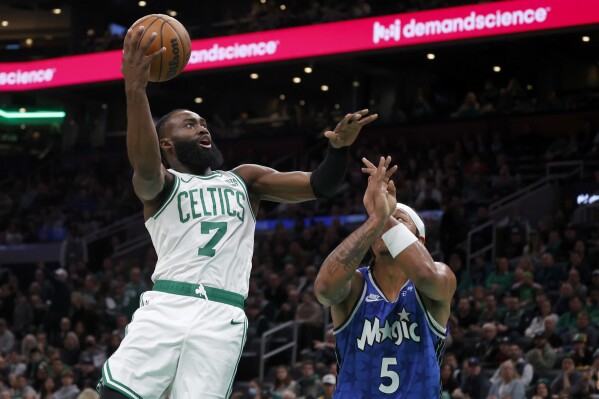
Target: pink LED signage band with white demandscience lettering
[[491, 19]]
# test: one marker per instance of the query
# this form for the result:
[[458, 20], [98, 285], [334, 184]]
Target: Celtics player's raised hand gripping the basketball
[[136, 64]]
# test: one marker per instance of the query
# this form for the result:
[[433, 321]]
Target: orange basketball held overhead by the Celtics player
[[171, 34]]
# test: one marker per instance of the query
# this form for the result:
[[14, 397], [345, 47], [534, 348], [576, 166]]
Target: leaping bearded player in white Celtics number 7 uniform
[[186, 338]]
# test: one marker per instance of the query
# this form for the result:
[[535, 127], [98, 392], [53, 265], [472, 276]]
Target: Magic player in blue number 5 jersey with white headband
[[389, 317]]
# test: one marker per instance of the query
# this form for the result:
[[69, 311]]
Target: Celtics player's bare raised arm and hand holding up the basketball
[[142, 141]]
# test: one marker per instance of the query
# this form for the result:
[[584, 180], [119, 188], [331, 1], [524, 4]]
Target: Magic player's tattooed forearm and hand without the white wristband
[[333, 283]]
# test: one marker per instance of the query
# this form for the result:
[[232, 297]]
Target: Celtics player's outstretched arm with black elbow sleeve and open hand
[[271, 185]]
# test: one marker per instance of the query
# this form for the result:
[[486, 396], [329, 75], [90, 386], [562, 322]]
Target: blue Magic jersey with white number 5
[[389, 349]]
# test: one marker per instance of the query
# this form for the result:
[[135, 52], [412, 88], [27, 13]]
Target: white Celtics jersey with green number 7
[[204, 232]]
